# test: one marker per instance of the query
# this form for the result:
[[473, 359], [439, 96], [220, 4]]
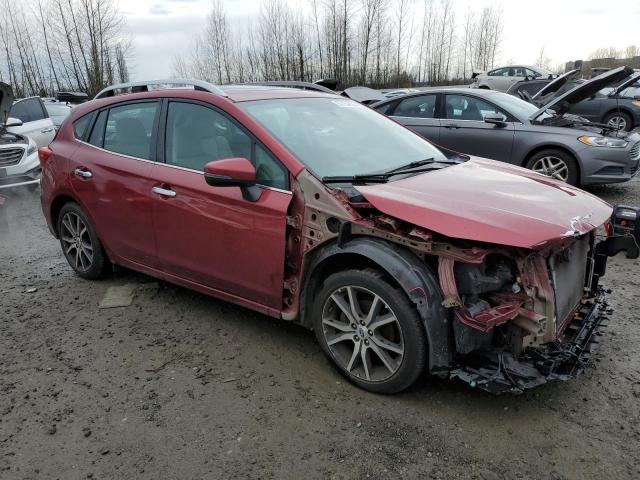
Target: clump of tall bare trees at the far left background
[[62, 45]]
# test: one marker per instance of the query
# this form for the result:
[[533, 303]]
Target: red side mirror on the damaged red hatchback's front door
[[233, 172]]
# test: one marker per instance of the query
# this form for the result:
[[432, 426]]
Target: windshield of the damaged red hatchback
[[340, 137]]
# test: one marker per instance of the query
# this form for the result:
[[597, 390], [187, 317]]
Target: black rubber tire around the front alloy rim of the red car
[[410, 332]]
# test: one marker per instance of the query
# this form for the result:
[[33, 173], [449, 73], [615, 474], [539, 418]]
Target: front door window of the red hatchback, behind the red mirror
[[197, 135]]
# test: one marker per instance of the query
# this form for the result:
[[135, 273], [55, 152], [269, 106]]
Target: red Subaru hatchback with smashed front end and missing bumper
[[312, 208]]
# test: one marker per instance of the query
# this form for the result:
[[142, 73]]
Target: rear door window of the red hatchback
[[129, 129]]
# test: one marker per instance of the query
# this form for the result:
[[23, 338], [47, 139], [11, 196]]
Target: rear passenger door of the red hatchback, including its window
[[111, 176]]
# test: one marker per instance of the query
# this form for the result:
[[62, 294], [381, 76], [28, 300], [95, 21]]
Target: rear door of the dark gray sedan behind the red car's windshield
[[419, 114]]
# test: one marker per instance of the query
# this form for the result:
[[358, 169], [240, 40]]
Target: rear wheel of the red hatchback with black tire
[[89, 268]]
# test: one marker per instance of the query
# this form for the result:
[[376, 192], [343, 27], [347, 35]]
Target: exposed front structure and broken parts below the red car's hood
[[515, 317]]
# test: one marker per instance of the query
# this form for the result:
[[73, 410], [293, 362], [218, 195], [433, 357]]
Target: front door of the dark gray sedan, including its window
[[464, 129]]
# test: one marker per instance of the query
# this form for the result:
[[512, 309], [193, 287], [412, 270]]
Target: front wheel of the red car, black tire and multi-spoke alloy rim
[[370, 330]]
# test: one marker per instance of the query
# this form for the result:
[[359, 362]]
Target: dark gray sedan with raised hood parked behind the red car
[[502, 127]]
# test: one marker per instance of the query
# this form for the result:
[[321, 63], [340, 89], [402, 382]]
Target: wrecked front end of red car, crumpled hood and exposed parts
[[517, 300]]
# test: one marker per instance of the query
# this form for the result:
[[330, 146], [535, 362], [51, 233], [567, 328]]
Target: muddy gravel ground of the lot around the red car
[[182, 386]]
